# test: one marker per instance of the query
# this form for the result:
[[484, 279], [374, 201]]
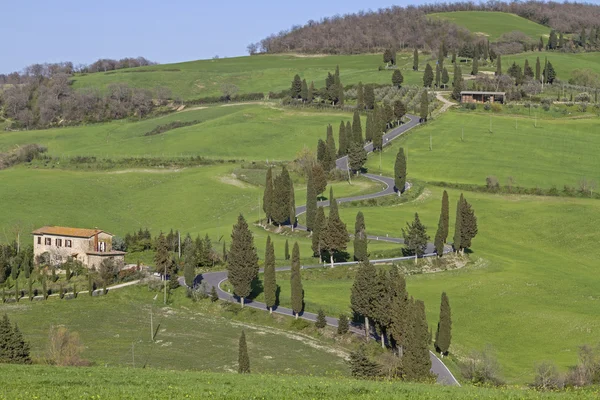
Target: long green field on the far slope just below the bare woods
[[194, 79]]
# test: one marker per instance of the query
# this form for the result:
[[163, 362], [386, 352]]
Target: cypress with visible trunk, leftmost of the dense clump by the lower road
[[363, 294]]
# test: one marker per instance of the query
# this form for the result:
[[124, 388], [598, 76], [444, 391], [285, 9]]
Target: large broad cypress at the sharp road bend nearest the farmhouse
[[242, 266]]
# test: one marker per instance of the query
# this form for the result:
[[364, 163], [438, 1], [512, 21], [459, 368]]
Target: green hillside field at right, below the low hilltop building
[[557, 152]]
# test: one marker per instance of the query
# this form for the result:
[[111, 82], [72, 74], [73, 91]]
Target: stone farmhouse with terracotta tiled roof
[[89, 246]]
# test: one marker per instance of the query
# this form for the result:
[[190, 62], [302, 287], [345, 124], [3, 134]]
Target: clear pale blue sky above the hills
[[164, 31]]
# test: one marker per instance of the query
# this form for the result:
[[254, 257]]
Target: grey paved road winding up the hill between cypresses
[[444, 376]]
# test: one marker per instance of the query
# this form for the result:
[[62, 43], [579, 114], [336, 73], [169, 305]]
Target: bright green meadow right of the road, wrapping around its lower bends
[[533, 274]]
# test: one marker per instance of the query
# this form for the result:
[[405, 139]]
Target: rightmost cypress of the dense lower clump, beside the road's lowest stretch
[[417, 364]]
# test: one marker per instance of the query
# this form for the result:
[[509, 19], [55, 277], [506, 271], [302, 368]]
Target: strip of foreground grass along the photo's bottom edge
[[57, 383]]
